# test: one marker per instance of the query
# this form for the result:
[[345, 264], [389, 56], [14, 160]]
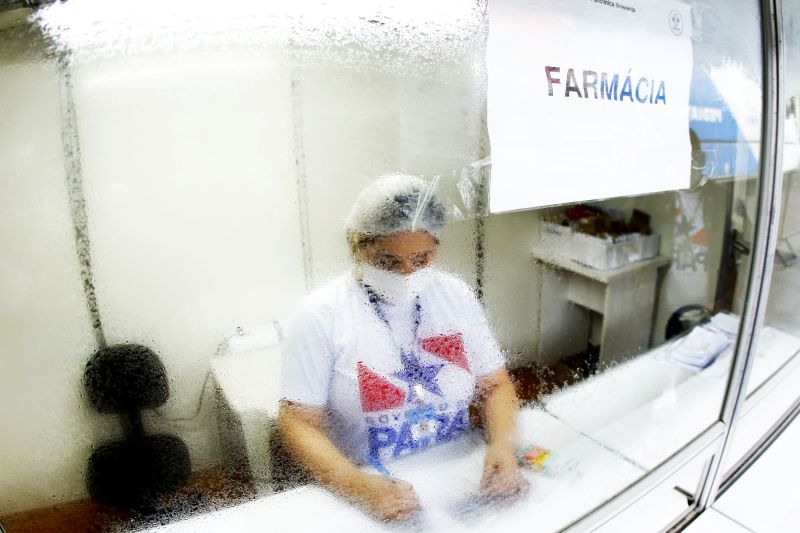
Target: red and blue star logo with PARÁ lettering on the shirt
[[398, 421]]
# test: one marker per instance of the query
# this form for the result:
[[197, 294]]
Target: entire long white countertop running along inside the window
[[604, 433]]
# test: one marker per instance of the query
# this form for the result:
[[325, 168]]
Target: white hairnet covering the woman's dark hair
[[396, 202]]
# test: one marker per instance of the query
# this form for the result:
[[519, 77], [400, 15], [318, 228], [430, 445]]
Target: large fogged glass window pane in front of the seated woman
[[251, 268]]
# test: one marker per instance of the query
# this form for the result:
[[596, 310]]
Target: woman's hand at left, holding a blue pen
[[387, 499]]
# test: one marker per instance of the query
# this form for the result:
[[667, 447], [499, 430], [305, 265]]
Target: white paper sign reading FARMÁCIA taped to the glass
[[587, 99]]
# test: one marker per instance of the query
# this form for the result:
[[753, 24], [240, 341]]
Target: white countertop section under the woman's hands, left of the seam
[[580, 476]]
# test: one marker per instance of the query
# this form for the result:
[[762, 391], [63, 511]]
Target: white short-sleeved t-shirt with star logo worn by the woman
[[386, 393]]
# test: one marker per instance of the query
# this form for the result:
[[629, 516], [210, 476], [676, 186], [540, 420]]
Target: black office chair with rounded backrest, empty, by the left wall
[[140, 470]]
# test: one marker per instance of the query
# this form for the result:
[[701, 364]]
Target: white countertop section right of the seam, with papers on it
[[647, 409]]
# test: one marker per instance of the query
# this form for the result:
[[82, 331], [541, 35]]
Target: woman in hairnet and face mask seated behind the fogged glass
[[384, 361]]
